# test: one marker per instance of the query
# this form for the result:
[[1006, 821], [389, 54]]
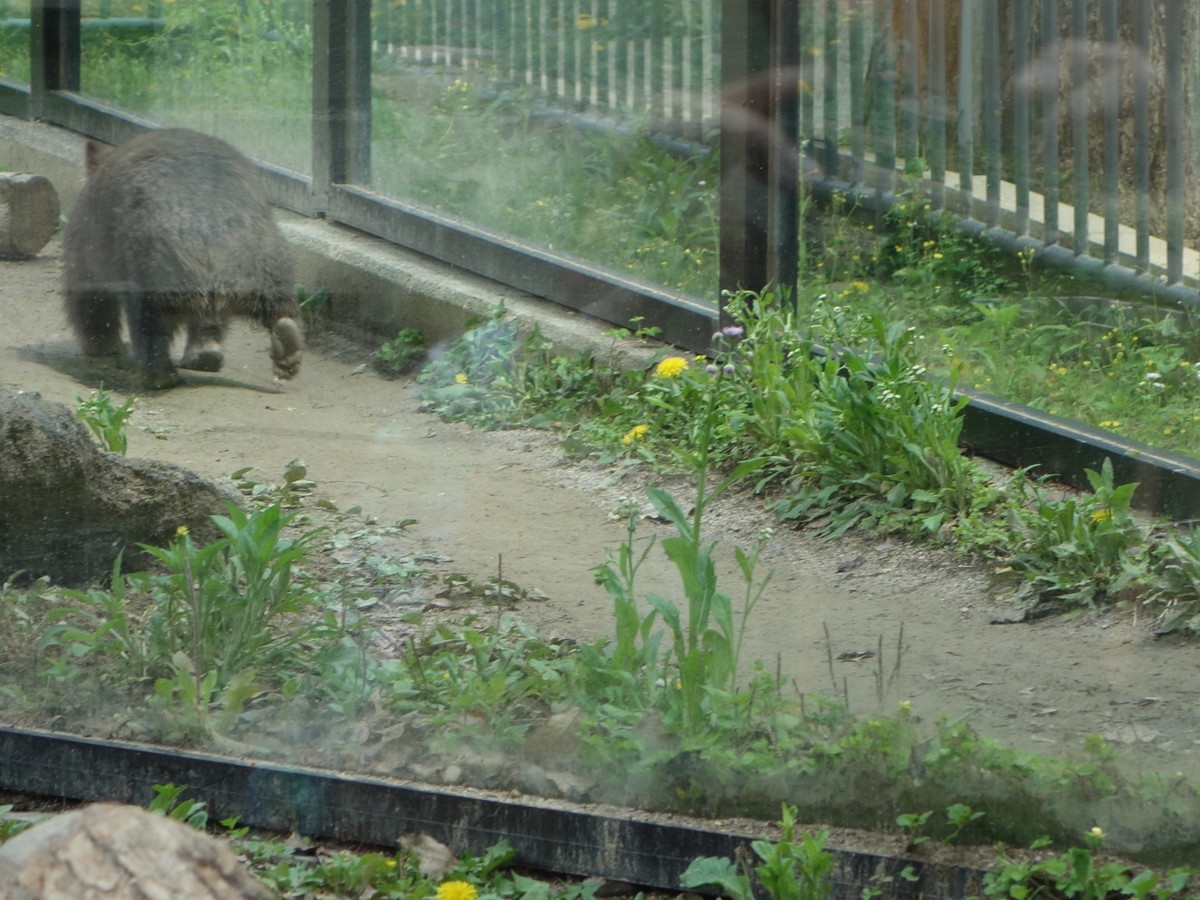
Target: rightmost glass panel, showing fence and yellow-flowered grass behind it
[[1058, 137]]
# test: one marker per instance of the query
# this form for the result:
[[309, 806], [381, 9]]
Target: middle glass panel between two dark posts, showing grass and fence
[[584, 128]]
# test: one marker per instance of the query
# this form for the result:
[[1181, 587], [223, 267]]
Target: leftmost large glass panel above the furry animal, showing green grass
[[239, 70]]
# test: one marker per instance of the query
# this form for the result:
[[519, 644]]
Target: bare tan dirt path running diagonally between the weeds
[[493, 501]]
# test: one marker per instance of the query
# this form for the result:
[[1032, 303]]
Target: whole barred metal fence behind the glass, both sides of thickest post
[[1060, 122]]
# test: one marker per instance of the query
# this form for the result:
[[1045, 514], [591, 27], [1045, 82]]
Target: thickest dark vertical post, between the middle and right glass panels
[[760, 69]]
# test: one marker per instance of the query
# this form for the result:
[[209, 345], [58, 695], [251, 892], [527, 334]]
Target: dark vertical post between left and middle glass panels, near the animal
[[341, 95]]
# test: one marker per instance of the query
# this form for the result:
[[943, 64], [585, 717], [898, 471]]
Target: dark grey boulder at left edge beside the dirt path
[[69, 509]]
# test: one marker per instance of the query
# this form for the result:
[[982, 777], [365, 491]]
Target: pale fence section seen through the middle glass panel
[[658, 61]]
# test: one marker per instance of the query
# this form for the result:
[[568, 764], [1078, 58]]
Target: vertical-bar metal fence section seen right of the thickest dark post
[[1060, 121]]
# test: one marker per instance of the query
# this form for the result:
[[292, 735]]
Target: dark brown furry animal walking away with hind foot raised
[[173, 231]]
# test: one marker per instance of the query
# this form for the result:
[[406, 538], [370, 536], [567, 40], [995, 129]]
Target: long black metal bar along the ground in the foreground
[[547, 835]]
